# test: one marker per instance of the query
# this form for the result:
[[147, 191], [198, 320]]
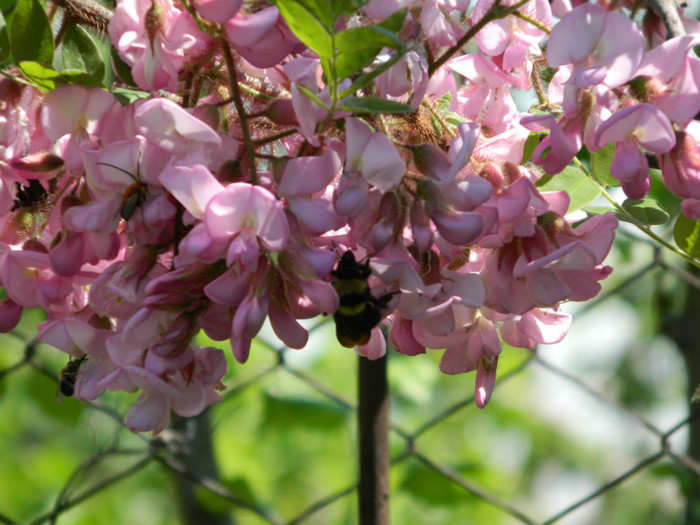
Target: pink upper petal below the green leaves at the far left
[[71, 107]]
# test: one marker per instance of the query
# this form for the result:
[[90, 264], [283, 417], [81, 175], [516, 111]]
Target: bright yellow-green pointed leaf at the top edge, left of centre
[[309, 24]]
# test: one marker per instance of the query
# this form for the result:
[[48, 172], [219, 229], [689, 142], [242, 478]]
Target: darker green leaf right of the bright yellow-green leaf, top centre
[[358, 46]]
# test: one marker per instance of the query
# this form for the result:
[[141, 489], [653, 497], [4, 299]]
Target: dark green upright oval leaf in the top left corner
[[30, 33]]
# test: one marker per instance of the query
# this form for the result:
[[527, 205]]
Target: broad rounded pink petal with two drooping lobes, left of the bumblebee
[[242, 206]]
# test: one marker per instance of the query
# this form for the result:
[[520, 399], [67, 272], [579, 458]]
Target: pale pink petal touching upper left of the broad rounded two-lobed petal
[[192, 186]]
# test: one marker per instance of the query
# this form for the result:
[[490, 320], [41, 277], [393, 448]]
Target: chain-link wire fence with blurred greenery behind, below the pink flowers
[[597, 430]]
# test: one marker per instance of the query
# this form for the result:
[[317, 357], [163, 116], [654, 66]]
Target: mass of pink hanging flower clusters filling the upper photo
[[162, 221]]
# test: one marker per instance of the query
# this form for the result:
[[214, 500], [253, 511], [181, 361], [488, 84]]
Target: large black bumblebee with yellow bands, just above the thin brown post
[[359, 311]]
